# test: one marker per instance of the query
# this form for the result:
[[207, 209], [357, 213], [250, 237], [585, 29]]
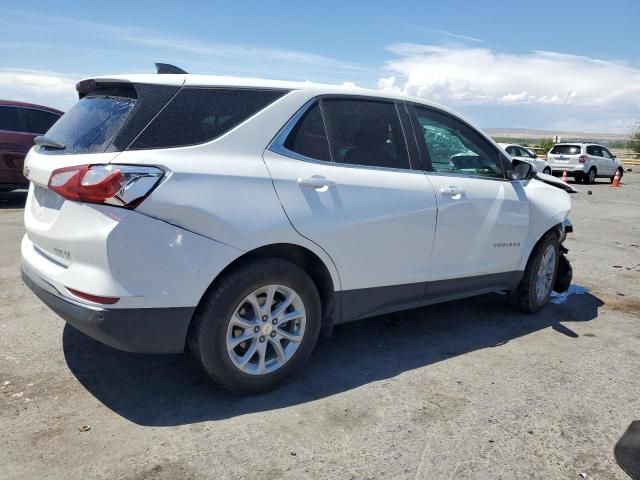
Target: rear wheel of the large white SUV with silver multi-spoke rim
[[257, 326]]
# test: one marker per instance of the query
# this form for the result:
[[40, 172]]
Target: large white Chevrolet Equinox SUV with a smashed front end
[[241, 218]]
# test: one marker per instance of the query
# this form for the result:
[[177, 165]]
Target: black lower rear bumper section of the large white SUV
[[142, 330]]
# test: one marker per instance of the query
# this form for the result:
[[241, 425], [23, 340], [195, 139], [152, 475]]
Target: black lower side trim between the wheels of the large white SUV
[[368, 302]]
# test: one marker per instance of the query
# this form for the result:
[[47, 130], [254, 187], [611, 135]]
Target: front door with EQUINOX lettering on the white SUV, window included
[[483, 218]]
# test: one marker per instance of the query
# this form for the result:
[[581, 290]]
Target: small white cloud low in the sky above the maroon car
[[45, 88]]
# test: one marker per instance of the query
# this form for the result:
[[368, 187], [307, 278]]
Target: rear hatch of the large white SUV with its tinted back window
[[104, 122]]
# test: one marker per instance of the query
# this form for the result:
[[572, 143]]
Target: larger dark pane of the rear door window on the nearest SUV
[[364, 132]]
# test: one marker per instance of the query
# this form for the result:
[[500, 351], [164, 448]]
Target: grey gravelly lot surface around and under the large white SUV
[[468, 389]]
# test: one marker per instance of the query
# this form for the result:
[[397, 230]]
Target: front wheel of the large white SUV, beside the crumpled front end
[[536, 285]]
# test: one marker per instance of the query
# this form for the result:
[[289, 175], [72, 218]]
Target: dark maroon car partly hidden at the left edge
[[20, 123]]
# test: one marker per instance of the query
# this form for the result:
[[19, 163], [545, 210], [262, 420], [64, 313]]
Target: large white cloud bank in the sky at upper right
[[470, 77]]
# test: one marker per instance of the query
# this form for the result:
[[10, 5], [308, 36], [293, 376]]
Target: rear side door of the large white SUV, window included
[[345, 176]]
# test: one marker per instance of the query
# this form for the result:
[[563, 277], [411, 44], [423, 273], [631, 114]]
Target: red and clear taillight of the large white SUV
[[119, 185]]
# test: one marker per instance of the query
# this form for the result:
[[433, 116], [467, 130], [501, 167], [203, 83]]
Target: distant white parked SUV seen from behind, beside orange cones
[[584, 161]]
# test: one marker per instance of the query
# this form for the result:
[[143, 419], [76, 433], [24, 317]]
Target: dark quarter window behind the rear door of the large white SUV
[[198, 115]]
